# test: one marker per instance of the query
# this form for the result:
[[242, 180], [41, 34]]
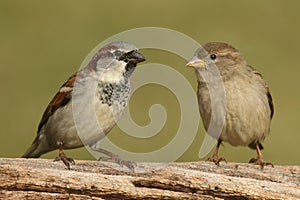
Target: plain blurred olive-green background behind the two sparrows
[[43, 42]]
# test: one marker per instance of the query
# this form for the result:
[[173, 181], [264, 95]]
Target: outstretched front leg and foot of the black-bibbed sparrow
[[114, 158]]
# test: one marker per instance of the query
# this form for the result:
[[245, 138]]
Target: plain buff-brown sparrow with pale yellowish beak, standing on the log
[[248, 103]]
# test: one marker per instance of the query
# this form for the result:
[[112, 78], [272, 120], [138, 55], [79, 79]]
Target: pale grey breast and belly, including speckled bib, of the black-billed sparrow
[[95, 110]]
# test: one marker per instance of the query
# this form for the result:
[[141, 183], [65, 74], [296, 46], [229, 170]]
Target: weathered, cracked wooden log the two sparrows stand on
[[44, 179]]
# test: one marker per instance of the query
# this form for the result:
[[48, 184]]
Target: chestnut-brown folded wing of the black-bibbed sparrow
[[59, 100]]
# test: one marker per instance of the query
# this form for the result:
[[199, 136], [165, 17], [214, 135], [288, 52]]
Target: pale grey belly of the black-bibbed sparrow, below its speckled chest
[[87, 127]]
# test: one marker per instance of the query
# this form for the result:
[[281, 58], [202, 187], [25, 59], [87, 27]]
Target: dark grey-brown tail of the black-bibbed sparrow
[[37, 148]]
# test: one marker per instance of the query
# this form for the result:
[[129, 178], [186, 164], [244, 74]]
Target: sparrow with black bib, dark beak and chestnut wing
[[98, 91]]
